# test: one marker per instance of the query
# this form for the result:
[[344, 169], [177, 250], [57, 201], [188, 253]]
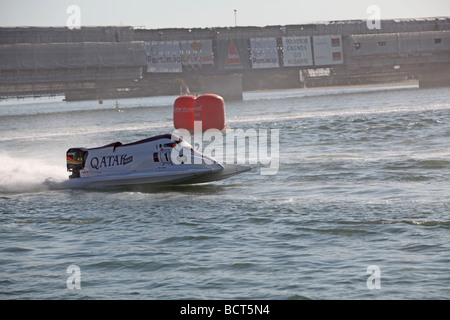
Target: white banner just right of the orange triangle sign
[[264, 53]]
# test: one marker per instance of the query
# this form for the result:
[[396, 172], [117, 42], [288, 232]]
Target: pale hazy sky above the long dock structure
[[161, 14]]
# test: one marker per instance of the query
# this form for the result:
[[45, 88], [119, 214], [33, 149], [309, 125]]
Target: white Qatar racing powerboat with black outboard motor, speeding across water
[[162, 159]]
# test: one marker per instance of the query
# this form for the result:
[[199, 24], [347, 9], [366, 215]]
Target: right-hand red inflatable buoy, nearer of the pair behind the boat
[[210, 110]]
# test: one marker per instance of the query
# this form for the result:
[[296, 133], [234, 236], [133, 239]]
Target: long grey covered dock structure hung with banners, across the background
[[114, 62]]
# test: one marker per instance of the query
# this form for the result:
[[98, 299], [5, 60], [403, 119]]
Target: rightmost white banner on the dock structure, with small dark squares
[[327, 50]]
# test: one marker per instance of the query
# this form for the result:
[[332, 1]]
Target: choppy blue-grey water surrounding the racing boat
[[363, 181]]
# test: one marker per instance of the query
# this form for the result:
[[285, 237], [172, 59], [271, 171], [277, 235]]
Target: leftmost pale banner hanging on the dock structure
[[163, 56]]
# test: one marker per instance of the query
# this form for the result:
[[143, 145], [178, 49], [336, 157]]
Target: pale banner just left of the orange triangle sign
[[196, 53]]
